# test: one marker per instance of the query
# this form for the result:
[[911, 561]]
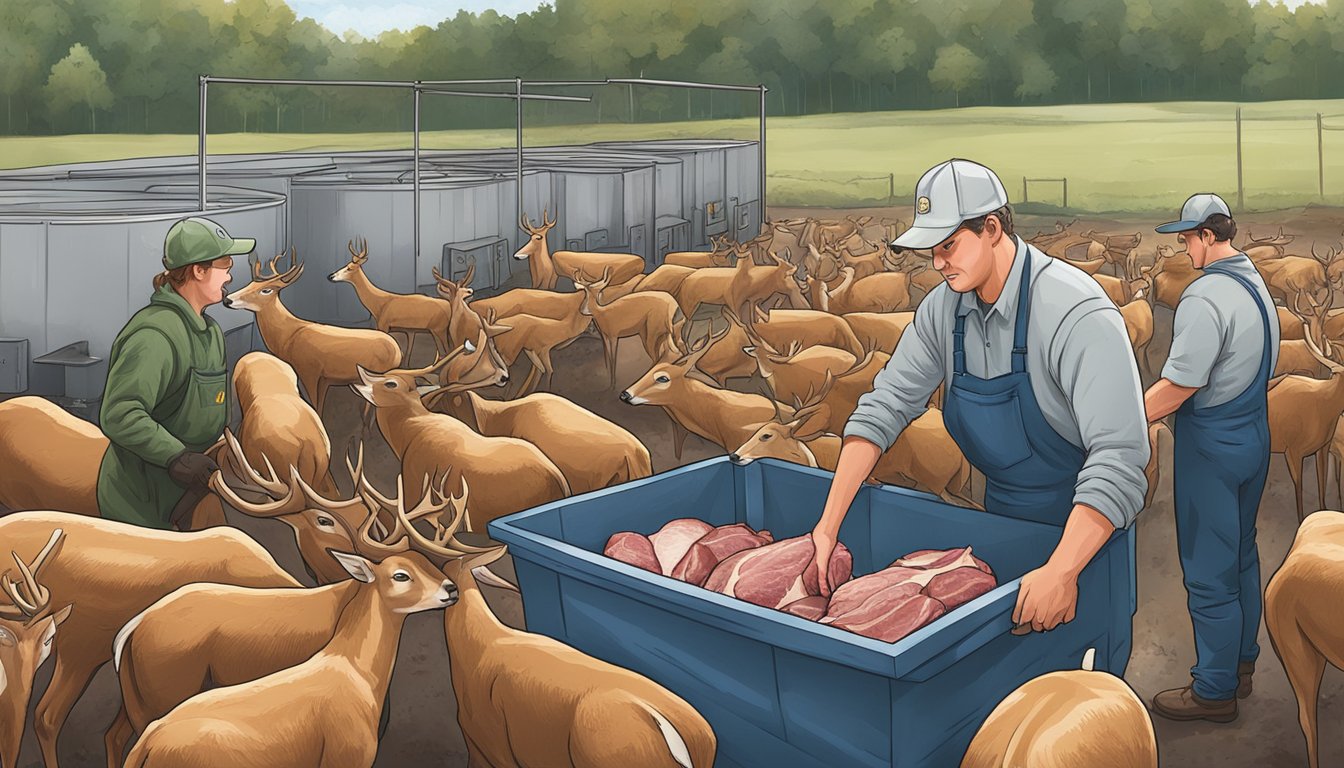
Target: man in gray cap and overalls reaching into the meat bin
[[1042, 391]]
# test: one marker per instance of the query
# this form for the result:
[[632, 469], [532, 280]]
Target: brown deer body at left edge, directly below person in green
[[170, 560]]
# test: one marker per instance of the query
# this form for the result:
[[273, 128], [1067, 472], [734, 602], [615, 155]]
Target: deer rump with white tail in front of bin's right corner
[[1079, 718]]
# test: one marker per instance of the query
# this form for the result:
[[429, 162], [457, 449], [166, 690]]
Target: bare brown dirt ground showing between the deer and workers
[[424, 727]]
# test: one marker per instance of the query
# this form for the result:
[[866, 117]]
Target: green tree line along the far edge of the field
[[73, 67]]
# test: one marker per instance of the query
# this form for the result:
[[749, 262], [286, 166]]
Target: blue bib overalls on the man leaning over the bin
[[1030, 470]]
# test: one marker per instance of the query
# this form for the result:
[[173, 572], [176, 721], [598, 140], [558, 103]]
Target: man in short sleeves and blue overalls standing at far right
[[1225, 349]]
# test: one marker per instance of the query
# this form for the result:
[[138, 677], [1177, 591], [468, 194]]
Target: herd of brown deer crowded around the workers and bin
[[210, 605]]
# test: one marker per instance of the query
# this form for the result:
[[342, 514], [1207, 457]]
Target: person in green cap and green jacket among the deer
[[167, 395]]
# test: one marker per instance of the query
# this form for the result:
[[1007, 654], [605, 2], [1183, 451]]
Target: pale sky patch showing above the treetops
[[369, 18]]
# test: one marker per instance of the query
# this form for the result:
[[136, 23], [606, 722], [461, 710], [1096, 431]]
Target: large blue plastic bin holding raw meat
[[783, 692]]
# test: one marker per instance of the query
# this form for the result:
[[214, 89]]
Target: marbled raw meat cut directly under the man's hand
[[776, 575]]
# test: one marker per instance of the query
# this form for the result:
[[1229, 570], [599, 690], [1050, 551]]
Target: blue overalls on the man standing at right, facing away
[[1222, 459]]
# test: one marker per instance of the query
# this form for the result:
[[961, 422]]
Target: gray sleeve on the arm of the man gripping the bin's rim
[[1100, 379]]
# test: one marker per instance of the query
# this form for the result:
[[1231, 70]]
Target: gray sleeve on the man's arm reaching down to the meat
[[902, 388]]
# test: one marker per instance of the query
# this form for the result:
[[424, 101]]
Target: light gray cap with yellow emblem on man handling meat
[[947, 196]]
